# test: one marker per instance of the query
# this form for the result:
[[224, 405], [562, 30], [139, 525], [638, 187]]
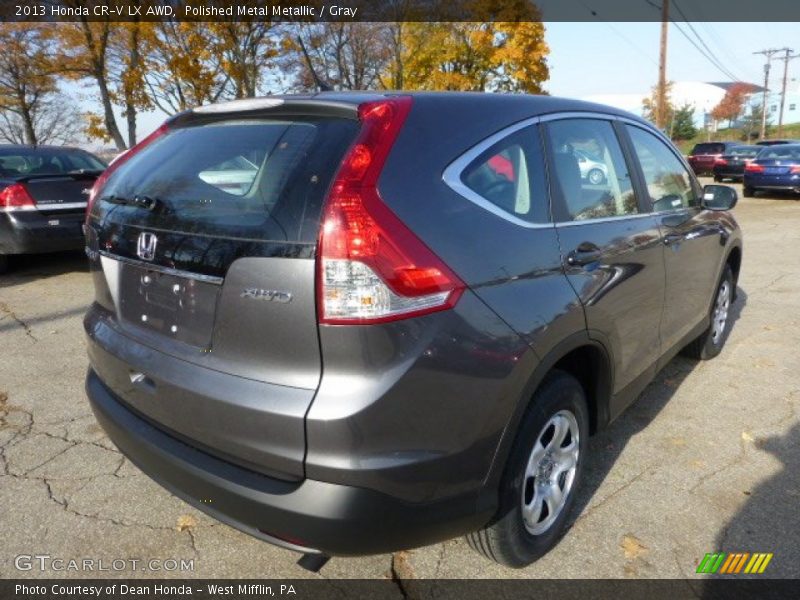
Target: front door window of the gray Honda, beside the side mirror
[[669, 184]]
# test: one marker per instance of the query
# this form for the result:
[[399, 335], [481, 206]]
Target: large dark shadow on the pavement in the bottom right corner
[[770, 519]]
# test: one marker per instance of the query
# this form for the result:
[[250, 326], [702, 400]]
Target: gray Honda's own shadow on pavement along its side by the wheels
[[606, 446]]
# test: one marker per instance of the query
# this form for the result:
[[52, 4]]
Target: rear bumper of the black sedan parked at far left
[[30, 232]]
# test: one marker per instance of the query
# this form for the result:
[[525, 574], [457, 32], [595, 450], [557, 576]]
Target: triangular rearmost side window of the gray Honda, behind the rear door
[[510, 175]]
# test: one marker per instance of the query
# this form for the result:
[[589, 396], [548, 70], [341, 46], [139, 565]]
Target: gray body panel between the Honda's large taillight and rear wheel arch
[[416, 408]]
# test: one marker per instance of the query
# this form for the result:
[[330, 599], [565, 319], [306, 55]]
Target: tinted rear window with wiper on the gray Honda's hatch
[[255, 179]]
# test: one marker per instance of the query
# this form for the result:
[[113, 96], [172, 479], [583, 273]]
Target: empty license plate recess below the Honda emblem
[[181, 308]]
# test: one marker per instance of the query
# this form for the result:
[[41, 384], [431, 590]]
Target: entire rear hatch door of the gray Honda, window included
[[206, 242]]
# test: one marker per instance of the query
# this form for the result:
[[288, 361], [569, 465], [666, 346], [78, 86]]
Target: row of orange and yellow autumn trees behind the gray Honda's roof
[[137, 66]]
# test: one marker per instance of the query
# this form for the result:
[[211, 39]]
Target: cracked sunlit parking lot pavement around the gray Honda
[[707, 460]]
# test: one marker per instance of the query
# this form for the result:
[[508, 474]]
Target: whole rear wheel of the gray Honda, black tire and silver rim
[[541, 477]]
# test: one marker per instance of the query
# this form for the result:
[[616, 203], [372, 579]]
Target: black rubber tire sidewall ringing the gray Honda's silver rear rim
[[559, 392]]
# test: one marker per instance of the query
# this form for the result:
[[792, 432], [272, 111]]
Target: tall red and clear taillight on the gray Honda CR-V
[[371, 268]]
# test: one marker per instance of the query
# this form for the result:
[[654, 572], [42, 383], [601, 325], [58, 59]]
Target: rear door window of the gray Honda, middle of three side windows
[[589, 175]]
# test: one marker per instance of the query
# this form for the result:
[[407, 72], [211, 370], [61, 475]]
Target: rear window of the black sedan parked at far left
[[22, 162]]
